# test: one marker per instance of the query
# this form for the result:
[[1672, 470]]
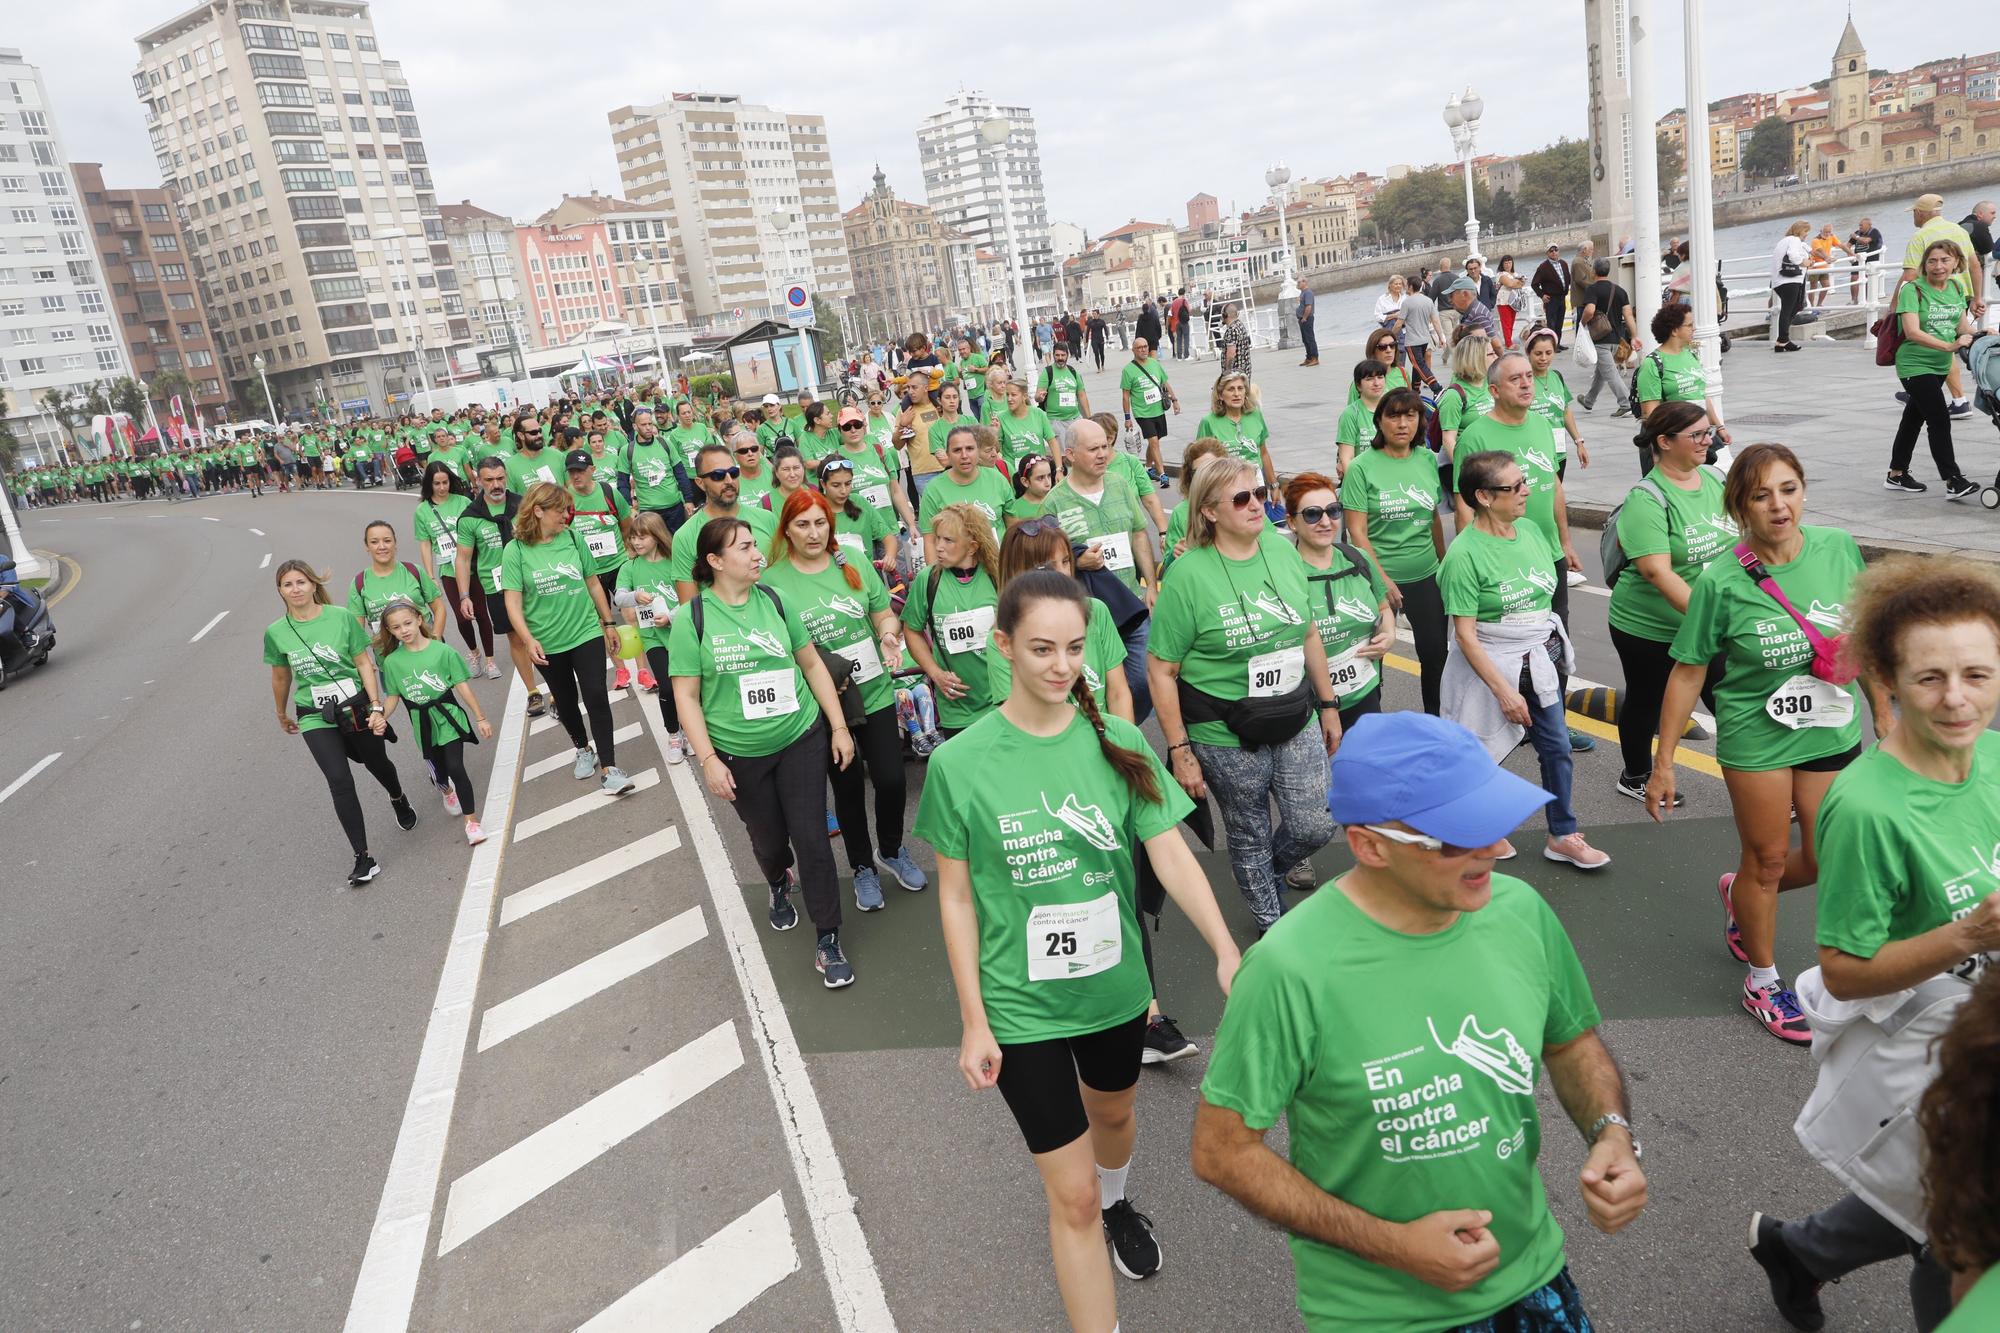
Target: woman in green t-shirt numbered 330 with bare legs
[[1781, 732]]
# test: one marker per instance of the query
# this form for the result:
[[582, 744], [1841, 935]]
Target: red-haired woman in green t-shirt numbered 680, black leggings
[[845, 609]]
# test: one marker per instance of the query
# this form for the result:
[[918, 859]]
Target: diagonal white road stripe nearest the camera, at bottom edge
[[713, 1282]]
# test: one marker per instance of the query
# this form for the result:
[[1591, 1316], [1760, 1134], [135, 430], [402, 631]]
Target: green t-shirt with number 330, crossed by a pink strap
[[1771, 710]]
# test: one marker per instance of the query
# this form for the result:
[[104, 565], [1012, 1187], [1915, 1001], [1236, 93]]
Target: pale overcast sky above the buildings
[[1139, 105]]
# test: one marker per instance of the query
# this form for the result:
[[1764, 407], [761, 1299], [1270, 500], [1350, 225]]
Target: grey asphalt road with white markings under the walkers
[[653, 1104]]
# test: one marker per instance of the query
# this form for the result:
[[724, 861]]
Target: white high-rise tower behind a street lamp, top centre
[[965, 189]]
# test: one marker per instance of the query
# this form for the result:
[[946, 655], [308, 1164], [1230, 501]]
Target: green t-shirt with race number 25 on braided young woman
[[1053, 870]]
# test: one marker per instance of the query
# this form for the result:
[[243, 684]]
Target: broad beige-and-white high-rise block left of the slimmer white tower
[[727, 171]]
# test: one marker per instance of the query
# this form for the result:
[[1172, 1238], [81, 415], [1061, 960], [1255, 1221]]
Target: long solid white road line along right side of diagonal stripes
[[837, 1230]]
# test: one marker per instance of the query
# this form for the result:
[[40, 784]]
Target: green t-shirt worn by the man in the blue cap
[[1413, 1108]]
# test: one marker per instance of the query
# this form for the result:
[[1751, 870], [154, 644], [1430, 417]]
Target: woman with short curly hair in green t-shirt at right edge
[[1913, 826]]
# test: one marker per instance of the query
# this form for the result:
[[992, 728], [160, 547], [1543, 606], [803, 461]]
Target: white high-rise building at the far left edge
[[57, 325]]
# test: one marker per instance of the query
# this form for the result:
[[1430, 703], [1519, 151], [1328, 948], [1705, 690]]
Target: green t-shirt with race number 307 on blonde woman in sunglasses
[[1237, 627]]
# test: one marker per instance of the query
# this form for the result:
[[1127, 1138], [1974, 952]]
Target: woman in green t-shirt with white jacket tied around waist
[[1513, 653]]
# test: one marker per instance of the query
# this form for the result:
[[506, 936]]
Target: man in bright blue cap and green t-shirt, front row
[[1401, 1020]]
